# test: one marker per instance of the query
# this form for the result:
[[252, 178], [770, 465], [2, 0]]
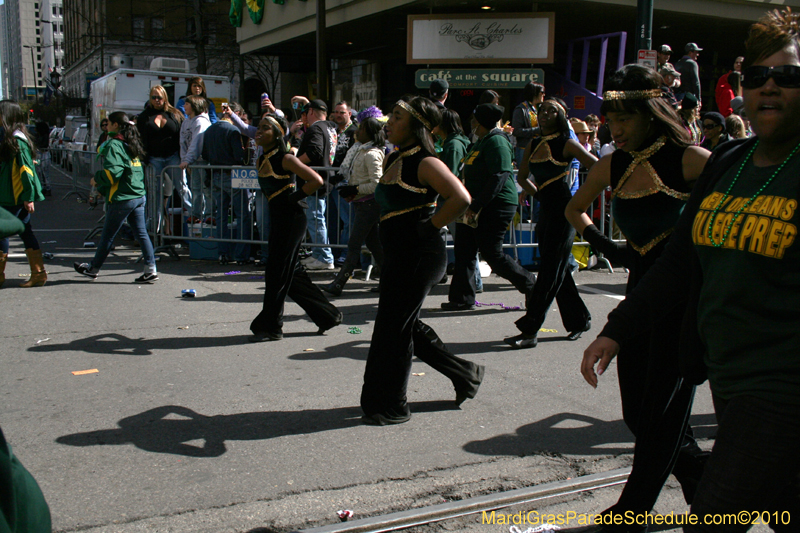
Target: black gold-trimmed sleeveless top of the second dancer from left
[[399, 190]]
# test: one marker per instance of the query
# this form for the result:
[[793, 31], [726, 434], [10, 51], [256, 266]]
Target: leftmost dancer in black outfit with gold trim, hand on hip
[[284, 275]]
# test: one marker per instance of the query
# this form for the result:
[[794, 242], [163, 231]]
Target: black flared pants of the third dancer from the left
[[554, 282]]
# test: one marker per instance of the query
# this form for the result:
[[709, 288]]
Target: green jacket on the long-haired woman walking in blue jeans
[[122, 178]]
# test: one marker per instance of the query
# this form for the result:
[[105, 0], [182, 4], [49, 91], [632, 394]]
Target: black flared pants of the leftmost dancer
[[285, 276]]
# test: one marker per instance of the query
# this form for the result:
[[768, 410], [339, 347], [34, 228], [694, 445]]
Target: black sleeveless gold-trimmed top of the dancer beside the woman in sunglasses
[[648, 216]]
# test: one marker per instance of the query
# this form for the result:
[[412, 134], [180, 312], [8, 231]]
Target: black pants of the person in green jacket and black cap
[[488, 239]]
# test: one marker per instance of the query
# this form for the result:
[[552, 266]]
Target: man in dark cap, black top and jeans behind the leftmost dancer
[[318, 149]]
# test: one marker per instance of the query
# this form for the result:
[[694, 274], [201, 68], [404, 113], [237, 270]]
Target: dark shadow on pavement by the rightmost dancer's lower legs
[[569, 434]]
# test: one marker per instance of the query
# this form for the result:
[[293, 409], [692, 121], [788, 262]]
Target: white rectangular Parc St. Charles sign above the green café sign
[[490, 38]]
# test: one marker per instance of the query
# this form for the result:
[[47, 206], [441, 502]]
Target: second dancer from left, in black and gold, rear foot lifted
[[415, 260]]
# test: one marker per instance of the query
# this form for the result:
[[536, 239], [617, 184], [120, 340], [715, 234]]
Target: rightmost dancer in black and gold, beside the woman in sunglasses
[[651, 174]]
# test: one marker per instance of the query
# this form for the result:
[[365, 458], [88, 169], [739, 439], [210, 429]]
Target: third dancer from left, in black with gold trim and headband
[[548, 159]]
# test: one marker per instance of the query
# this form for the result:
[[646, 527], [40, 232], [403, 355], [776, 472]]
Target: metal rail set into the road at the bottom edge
[[490, 502]]
